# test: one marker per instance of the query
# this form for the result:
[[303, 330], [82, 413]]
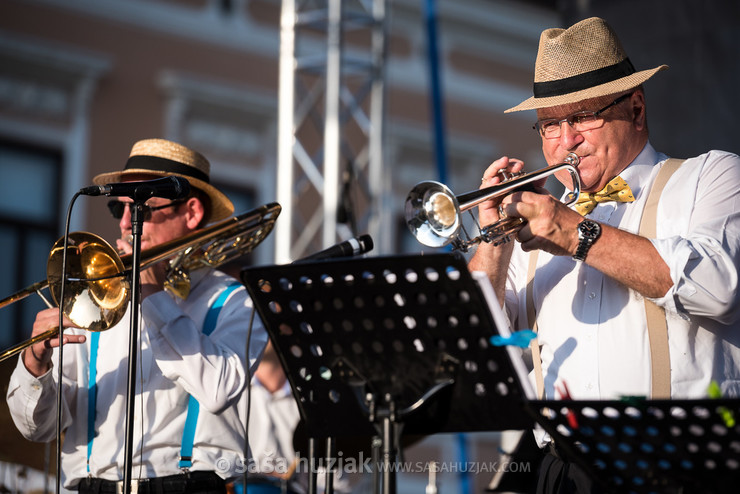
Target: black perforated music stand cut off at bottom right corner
[[649, 446]]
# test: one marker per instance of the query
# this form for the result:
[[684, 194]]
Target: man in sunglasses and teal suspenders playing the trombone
[[192, 374]]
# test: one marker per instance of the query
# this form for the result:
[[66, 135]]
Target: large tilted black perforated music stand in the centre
[[370, 345]]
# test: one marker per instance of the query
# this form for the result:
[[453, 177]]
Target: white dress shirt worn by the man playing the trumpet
[[593, 330]]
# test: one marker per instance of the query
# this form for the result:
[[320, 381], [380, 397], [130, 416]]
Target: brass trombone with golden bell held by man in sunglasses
[[97, 291]]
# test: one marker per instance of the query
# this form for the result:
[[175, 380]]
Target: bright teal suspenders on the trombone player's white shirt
[[188, 434]]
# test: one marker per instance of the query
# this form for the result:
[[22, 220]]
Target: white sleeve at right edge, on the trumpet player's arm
[[699, 237]]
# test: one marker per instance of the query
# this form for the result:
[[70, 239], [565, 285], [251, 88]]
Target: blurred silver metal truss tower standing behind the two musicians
[[330, 123]]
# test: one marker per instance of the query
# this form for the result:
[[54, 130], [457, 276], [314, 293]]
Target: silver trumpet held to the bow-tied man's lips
[[434, 214]]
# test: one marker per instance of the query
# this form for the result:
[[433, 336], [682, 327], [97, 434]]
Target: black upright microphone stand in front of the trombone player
[[137, 221]]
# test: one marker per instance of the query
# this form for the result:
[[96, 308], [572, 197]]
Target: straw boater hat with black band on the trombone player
[[161, 158]]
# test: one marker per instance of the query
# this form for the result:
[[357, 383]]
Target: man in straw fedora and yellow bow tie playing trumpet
[[632, 290]]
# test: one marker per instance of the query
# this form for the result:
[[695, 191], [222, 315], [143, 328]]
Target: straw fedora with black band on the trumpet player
[[582, 62]]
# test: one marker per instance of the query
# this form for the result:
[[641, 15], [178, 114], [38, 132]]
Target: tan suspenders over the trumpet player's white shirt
[[660, 362]]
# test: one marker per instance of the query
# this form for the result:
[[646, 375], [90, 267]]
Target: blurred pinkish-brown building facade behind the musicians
[[82, 80]]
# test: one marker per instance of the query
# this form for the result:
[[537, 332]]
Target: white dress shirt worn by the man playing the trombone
[[175, 358]]
